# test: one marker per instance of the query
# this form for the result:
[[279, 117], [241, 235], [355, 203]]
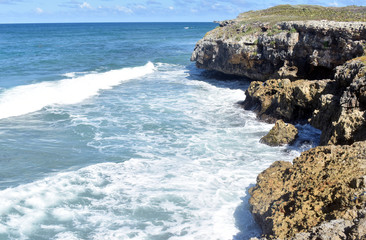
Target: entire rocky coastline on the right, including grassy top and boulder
[[308, 65]]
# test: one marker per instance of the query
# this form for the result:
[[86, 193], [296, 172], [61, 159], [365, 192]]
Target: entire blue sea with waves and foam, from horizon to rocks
[[108, 131]]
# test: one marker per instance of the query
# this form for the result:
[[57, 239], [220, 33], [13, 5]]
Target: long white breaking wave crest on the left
[[29, 98]]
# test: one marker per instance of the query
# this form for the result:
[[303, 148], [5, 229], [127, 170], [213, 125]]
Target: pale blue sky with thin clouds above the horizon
[[50, 11]]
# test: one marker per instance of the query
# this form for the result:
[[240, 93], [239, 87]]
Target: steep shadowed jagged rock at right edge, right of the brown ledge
[[345, 112]]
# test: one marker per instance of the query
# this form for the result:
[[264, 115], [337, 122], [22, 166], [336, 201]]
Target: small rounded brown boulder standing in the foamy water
[[280, 134]]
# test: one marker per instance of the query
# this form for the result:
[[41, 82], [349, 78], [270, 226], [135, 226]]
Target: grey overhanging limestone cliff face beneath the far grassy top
[[294, 49]]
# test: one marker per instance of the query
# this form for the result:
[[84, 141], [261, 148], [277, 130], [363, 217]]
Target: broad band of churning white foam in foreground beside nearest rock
[[130, 200]]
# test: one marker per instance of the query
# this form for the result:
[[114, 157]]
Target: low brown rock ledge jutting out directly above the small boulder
[[283, 99]]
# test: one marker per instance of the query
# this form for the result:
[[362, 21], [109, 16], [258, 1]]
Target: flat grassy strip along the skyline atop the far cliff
[[304, 12]]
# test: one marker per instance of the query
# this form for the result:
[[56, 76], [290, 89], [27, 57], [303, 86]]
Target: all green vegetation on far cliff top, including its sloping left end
[[251, 23]]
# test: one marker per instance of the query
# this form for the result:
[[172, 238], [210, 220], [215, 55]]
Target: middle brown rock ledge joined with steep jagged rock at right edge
[[337, 107]]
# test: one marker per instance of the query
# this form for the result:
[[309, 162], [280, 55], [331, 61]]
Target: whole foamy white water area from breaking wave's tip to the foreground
[[188, 179]]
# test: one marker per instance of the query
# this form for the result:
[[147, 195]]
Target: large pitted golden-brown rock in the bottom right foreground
[[323, 184]]
